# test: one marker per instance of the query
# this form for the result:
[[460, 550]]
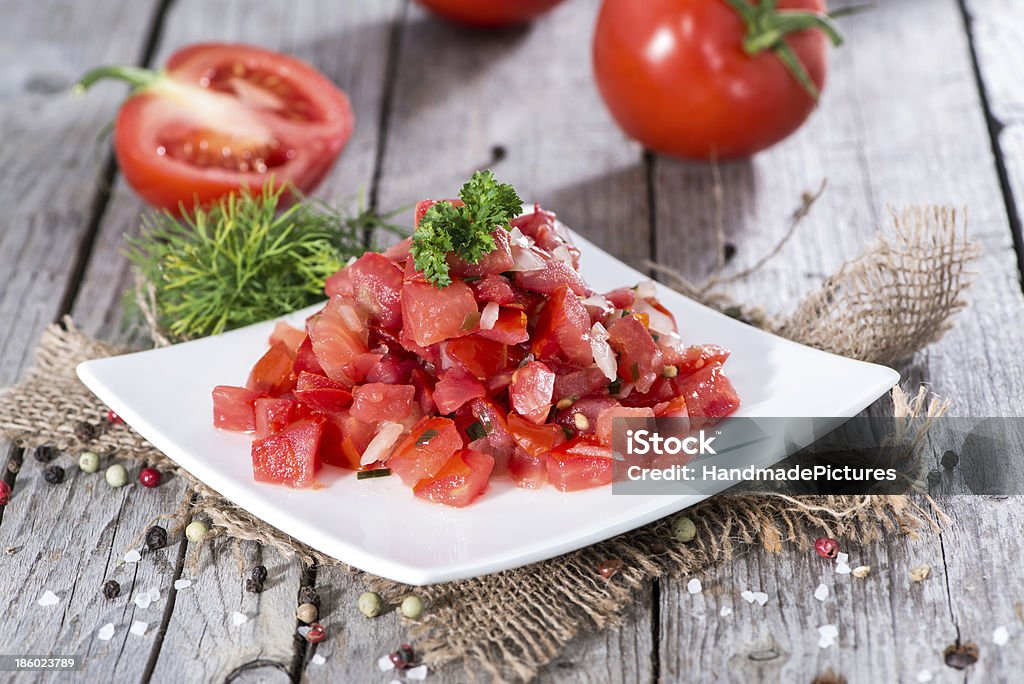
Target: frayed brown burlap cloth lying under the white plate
[[882, 308]]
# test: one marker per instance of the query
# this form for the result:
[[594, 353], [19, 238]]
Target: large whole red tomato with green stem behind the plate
[[700, 80]]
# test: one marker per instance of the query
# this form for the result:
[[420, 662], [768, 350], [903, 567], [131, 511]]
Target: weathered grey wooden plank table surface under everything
[[923, 106]]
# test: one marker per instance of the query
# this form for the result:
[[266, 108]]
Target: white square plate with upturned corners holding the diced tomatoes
[[377, 525]]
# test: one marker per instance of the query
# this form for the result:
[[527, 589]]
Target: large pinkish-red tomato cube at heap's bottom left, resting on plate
[[291, 457]]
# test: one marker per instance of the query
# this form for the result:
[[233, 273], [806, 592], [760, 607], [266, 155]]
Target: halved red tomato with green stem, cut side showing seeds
[[220, 117]]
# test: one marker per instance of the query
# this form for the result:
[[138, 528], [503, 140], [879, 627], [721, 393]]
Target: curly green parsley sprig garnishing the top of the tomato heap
[[463, 231]]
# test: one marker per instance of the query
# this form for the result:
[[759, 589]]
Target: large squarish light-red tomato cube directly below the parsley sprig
[[434, 315]]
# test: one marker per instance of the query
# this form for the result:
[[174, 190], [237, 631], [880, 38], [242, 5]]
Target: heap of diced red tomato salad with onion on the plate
[[516, 369]]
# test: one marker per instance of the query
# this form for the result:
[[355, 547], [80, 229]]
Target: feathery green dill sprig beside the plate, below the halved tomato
[[242, 262]]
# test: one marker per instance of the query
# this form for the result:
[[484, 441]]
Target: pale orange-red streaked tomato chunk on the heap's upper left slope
[[339, 336]]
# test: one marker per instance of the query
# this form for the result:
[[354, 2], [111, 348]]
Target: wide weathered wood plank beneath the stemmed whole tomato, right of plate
[[879, 141]]
